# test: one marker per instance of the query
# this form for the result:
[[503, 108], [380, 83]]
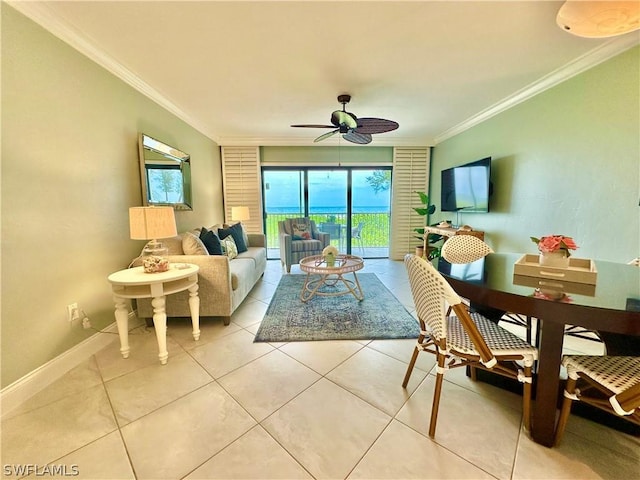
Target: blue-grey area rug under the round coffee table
[[380, 315]]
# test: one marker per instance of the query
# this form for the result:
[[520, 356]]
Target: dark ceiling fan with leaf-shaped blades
[[352, 128]]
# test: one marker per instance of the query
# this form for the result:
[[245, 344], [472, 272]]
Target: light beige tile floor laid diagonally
[[225, 407]]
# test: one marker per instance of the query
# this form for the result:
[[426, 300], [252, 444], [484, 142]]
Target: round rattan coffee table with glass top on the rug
[[331, 276]]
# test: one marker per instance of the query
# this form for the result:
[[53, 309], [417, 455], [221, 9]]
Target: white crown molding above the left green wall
[[50, 21]]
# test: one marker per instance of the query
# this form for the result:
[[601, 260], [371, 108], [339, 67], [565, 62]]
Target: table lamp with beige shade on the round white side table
[[152, 223]]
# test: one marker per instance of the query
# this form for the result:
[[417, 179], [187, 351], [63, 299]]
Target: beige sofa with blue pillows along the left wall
[[223, 283]]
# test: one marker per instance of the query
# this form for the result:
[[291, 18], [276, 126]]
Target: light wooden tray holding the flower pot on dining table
[[580, 270]]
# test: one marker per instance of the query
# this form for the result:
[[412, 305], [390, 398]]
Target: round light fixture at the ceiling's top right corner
[[599, 19]]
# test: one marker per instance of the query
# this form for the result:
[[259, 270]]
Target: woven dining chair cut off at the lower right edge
[[610, 383]]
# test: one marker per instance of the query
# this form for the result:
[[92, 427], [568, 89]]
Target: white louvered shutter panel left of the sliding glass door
[[242, 185]]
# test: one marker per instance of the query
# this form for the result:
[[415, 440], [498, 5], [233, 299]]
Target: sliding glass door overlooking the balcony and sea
[[351, 204]]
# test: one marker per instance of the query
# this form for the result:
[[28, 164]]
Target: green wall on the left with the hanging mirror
[[69, 174]]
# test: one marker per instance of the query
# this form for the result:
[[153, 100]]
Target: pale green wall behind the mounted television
[[566, 161]]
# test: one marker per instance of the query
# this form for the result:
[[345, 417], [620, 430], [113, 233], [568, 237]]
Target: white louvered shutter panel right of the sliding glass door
[[410, 174]]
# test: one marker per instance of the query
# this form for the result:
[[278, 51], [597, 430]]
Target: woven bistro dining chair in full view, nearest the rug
[[463, 339]]
